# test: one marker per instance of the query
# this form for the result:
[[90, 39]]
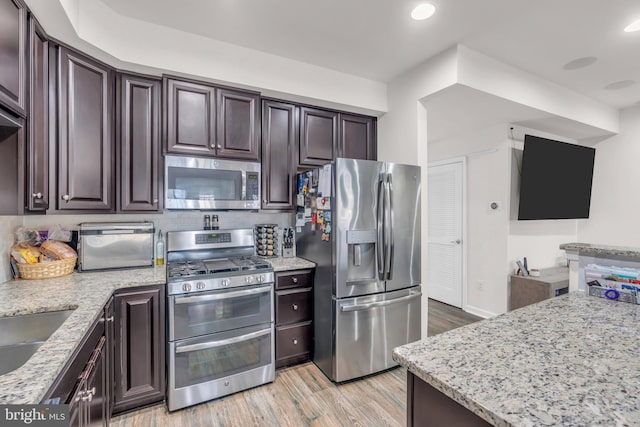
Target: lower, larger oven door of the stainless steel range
[[212, 366]]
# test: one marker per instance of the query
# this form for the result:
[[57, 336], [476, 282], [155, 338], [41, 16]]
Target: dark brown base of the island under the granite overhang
[[427, 406]]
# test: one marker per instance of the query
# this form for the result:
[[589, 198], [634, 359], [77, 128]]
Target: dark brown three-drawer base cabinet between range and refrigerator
[[294, 317]]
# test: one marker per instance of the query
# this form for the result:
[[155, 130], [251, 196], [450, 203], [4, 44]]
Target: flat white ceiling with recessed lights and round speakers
[[377, 39]]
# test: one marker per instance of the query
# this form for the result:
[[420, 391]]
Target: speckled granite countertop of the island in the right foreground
[[571, 361]]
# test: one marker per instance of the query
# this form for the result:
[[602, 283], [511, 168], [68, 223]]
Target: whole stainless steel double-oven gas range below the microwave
[[220, 316]]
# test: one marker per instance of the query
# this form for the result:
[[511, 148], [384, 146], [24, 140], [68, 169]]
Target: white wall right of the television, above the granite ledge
[[614, 217]]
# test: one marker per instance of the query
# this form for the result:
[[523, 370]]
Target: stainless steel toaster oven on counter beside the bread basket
[[115, 245]]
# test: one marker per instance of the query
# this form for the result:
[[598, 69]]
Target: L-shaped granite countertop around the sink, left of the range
[[86, 294]]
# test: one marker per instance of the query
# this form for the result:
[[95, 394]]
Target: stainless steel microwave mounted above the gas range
[[205, 183]]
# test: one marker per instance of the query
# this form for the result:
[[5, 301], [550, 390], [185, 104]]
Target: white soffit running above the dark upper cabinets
[[135, 45]]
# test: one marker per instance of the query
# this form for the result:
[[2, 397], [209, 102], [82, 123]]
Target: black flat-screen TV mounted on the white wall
[[555, 182]]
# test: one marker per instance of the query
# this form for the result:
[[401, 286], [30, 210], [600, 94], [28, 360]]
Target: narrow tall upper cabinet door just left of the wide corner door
[[37, 185]]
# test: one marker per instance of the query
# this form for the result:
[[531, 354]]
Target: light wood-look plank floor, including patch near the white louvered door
[[302, 396]]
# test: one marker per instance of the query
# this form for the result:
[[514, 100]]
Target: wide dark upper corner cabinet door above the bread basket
[[86, 148]]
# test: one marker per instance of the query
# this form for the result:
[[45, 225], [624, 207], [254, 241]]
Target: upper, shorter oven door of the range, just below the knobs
[[215, 311]]
